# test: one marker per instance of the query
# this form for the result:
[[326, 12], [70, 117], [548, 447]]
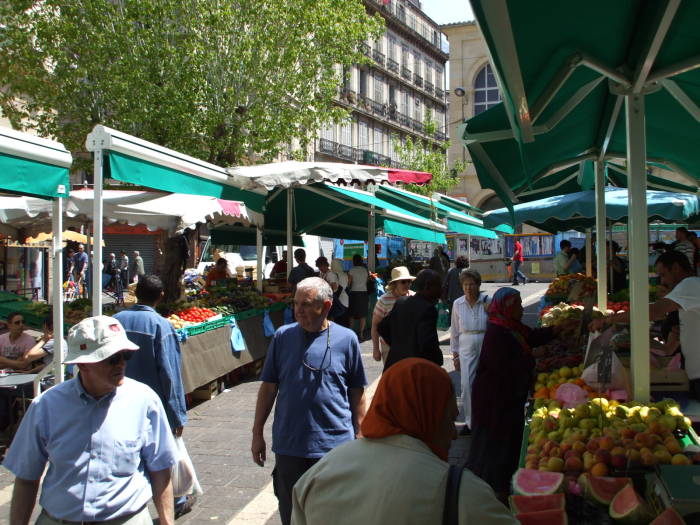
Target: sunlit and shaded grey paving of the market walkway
[[236, 491]]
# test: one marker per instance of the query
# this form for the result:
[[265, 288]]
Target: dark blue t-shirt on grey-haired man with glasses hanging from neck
[[312, 412]]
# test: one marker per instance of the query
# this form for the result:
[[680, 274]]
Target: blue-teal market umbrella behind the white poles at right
[[577, 211]]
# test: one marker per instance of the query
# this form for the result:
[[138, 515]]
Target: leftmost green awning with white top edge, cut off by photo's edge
[[33, 166]]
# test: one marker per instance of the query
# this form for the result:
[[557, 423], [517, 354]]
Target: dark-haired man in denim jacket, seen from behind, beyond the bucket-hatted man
[[158, 363]]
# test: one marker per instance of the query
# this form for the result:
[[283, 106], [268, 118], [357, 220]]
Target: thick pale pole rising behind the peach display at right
[[638, 245]]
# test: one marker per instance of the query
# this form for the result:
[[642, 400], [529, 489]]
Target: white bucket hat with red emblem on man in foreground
[[95, 339]]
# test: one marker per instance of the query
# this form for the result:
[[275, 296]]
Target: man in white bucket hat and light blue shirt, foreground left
[[105, 437]]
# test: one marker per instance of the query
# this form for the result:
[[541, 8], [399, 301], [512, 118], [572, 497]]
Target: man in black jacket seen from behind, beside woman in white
[[413, 322]]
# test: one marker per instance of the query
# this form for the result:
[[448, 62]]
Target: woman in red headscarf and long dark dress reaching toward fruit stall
[[504, 377]]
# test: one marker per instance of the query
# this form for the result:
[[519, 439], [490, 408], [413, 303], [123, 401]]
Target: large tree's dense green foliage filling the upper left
[[221, 80]]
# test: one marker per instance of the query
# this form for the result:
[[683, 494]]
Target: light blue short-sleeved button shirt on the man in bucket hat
[[98, 451]]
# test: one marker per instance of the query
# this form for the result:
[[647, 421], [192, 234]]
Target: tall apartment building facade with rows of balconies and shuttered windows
[[391, 98]]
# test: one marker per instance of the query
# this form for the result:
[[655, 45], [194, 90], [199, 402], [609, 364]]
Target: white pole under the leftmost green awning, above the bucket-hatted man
[[57, 288]]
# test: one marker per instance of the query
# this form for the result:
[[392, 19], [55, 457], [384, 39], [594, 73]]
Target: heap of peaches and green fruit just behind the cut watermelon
[[603, 436]]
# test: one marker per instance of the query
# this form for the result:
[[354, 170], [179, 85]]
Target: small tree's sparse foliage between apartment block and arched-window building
[[421, 155]]
